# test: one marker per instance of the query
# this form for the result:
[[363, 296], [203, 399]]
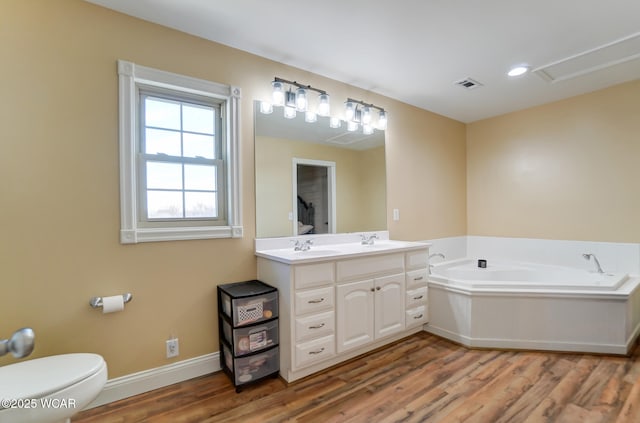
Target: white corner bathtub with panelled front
[[532, 306]]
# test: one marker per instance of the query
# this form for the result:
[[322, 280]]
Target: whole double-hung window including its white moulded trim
[[179, 158]]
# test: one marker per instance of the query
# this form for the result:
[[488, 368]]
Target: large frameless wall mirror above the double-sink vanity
[[314, 179]]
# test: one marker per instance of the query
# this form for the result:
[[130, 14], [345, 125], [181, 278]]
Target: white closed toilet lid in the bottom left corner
[[41, 376]]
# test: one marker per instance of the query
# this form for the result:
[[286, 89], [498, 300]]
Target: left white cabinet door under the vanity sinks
[[354, 319]]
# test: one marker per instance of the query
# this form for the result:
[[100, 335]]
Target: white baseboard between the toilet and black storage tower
[[148, 380]]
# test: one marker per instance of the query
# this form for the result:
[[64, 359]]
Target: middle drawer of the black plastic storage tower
[[249, 339]]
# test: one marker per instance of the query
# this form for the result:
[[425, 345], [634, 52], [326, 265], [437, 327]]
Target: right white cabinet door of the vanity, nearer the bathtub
[[389, 305]]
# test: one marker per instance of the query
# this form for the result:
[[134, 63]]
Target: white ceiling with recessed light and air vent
[[415, 50]]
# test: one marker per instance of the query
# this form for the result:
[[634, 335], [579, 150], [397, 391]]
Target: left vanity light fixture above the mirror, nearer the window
[[295, 98]]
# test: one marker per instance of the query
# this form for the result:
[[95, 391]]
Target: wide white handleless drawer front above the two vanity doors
[[371, 266]]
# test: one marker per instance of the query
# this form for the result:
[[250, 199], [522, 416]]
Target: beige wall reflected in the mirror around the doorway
[[360, 185]]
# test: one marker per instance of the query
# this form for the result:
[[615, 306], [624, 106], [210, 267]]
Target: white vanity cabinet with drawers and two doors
[[336, 308]]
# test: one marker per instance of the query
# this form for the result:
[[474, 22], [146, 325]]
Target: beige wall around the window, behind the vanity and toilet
[[60, 195]]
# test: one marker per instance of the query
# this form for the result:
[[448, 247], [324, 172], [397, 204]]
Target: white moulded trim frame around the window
[[130, 75]]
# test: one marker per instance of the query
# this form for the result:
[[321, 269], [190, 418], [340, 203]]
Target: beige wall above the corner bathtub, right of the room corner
[[566, 170]]
